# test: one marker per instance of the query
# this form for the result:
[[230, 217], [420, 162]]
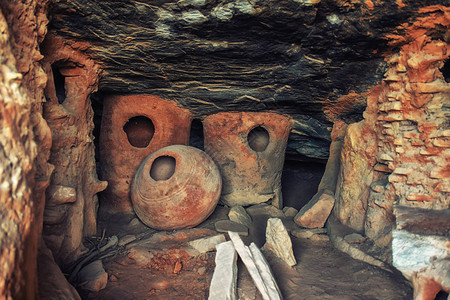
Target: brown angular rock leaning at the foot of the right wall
[[315, 213]]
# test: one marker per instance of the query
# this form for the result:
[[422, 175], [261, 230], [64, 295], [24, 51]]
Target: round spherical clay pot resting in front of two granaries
[[176, 187]]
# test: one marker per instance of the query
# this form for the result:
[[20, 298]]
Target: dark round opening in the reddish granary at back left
[[139, 131]]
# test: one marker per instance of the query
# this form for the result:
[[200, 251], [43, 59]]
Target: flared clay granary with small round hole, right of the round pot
[[249, 149]]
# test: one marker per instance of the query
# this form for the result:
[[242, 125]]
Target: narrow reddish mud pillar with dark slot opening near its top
[[71, 207]]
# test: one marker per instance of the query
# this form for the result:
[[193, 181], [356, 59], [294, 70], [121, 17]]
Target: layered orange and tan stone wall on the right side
[[399, 153]]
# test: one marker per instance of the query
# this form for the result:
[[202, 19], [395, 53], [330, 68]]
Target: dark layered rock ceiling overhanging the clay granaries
[[294, 56]]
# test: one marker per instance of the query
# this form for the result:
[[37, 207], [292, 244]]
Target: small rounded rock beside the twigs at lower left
[[93, 277]]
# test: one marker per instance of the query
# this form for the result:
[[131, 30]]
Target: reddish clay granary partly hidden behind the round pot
[[134, 126]]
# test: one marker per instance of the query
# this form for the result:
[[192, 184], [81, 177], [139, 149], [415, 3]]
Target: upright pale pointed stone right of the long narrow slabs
[[279, 242]]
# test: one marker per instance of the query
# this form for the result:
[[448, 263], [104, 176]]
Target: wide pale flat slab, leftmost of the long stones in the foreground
[[223, 282]]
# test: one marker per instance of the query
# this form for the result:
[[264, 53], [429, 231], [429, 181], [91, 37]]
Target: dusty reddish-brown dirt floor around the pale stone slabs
[[162, 268]]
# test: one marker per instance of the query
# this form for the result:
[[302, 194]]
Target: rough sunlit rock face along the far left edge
[[25, 142]]
